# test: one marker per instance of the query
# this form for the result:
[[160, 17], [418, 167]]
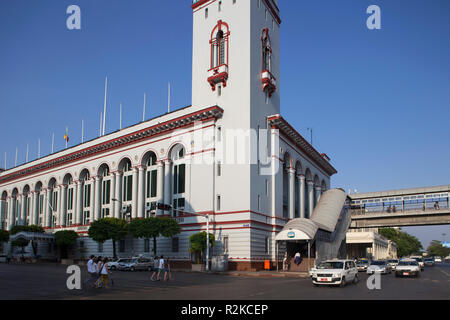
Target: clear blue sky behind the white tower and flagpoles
[[378, 100]]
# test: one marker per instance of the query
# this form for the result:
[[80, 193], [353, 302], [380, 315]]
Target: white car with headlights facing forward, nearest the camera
[[334, 272]]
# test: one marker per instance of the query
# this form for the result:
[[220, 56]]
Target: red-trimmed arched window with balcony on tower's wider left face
[[219, 42]]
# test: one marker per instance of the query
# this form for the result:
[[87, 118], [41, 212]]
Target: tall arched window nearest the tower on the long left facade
[[179, 178]]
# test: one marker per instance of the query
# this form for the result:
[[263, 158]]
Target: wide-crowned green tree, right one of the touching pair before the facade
[[154, 227]]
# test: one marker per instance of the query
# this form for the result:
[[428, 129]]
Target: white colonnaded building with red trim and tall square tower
[[230, 154]]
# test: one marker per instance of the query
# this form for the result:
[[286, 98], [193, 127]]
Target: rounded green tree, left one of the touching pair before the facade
[[108, 229]]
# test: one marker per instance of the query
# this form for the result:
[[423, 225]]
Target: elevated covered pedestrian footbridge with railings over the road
[[401, 208]]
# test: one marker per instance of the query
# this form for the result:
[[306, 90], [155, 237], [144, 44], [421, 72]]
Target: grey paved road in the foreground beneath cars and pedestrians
[[49, 282]]
